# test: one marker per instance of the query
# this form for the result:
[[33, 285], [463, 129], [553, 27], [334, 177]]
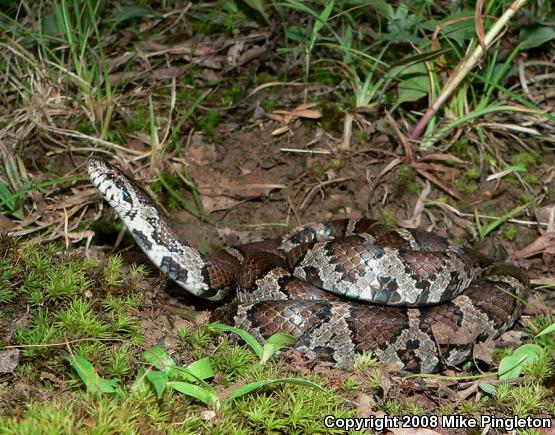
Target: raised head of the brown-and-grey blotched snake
[[116, 188]]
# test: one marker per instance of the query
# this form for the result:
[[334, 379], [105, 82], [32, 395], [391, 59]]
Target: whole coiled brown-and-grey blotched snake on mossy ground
[[412, 299]]
